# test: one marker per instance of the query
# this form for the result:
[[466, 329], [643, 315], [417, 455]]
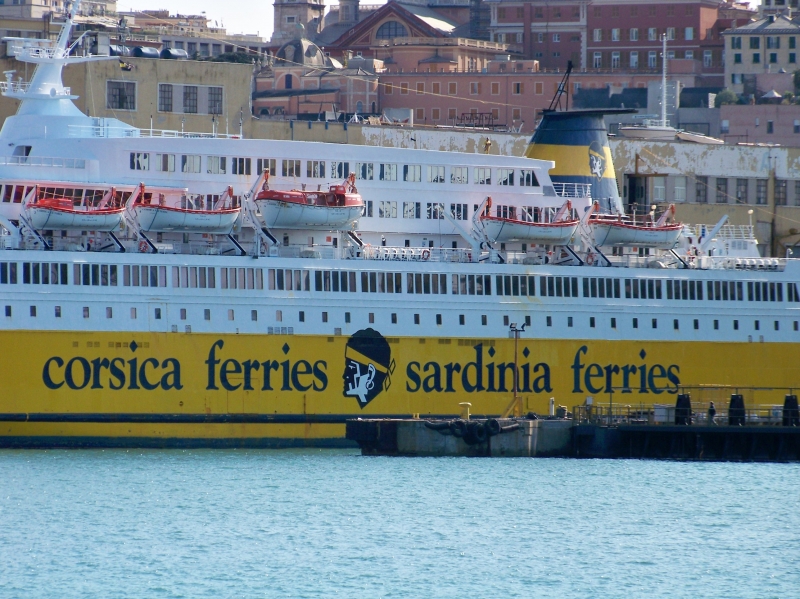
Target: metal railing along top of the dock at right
[[668, 415]]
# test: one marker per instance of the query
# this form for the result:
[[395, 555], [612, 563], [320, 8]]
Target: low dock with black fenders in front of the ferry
[[682, 432]]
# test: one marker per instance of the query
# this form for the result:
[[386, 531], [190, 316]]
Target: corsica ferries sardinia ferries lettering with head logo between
[[367, 373]]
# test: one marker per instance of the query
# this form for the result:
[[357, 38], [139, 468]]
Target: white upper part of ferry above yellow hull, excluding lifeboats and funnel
[[416, 241]]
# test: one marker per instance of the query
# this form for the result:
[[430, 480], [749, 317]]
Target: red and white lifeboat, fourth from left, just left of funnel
[[559, 231]]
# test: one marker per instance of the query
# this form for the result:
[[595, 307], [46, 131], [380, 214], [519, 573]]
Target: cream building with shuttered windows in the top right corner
[[768, 45]]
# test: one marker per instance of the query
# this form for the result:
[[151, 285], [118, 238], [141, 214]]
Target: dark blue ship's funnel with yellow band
[[577, 141]]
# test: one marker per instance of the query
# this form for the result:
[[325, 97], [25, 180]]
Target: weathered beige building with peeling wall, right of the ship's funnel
[[750, 183]]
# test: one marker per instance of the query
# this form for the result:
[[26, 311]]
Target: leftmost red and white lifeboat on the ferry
[[61, 214]]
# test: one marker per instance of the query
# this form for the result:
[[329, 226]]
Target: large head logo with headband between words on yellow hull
[[368, 366]]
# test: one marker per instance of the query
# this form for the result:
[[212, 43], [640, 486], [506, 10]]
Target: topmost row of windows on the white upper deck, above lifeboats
[[321, 169]]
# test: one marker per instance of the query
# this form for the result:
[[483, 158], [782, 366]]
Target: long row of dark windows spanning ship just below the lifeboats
[[299, 280]]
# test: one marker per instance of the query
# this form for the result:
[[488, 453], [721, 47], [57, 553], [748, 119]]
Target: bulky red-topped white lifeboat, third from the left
[[338, 208]]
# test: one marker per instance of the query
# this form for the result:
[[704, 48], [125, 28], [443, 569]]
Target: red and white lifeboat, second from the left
[[182, 216]]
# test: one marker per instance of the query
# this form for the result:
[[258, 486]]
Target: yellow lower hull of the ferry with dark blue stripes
[[157, 389]]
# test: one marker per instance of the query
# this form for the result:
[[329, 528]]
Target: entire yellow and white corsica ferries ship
[[204, 309]]
